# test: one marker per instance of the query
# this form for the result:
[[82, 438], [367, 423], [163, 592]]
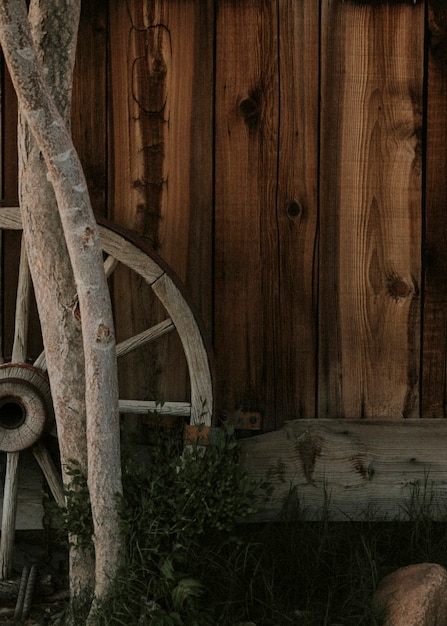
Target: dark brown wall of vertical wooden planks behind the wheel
[[288, 158]]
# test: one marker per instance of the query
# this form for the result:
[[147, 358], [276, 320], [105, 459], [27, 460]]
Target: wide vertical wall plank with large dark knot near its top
[[246, 231]]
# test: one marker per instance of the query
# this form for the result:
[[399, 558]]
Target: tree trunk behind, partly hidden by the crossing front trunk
[[54, 29]]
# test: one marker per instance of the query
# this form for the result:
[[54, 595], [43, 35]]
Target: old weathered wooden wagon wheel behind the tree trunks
[[25, 398]]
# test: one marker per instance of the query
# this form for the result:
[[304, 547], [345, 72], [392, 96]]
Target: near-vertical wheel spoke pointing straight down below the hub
[[9, 514]]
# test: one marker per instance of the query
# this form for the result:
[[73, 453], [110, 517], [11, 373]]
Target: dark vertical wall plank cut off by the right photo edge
[[434, 373]]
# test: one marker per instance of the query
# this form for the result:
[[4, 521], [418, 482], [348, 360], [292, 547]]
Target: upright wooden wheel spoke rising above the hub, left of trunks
[[22, 309]]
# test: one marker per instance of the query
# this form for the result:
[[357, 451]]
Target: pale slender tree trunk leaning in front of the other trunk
[[83, 244]]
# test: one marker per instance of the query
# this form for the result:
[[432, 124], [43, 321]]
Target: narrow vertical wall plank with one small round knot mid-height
[[297, 210]]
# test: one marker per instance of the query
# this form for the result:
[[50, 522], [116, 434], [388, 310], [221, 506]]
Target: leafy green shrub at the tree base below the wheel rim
[[176, 503]]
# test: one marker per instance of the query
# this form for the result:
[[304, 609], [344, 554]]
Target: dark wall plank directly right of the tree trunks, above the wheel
[[89, 103]]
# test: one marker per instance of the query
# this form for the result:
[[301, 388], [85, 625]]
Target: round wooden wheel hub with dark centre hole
[[25, 406]]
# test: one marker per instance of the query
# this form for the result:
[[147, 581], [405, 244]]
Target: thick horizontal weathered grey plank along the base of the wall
[[353, 469]]
